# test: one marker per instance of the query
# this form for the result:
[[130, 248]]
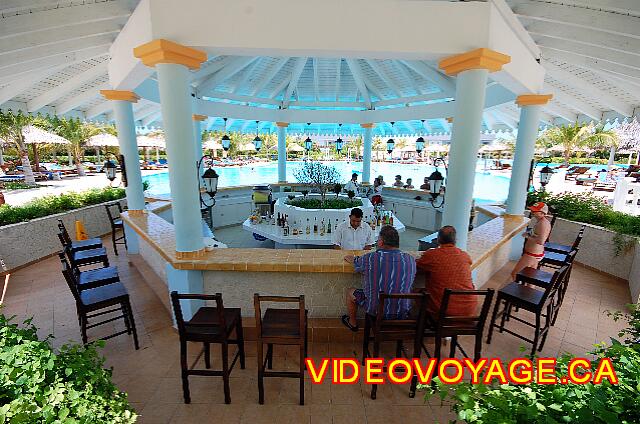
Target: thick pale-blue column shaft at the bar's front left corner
[[173, 82]]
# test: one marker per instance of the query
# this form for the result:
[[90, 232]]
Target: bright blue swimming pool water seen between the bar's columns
[[488, 187]]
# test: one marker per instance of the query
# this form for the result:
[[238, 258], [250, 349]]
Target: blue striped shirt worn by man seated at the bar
[[389, 271]]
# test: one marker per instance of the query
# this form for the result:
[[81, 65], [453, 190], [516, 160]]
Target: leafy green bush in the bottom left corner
[[39, 385]]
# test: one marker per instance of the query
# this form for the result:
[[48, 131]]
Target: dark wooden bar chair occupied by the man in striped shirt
[[397, 329]]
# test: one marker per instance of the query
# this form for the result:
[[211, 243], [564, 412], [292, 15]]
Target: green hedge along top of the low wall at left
[[50, 205]]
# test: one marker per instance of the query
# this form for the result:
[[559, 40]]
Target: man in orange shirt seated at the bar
[[447, 267]]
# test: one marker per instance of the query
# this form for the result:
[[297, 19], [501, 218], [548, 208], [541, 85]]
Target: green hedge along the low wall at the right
[[587, 208]]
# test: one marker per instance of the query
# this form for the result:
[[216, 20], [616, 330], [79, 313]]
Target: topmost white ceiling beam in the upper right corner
[[586, 18]]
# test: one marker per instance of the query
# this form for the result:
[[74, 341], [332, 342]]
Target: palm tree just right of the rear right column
[[575, 136]]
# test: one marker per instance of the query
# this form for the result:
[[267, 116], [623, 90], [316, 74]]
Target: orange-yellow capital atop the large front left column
[[165, 51]]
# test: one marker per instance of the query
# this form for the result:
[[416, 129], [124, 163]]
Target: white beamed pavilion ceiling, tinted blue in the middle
[[54, 56]]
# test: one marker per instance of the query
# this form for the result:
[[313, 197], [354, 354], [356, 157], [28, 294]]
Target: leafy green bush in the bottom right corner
[[557, 403]]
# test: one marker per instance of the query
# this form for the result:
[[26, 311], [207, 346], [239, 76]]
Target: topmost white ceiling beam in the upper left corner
[[64, 16]]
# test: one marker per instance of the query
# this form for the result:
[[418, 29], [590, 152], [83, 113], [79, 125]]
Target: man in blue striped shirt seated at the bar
[[389, 270]]
